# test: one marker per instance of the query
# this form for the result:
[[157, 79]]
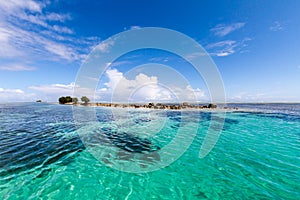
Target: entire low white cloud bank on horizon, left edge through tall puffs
[[117, 88]]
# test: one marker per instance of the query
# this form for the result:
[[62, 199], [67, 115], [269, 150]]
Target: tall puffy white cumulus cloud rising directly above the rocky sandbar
[[144, 88]]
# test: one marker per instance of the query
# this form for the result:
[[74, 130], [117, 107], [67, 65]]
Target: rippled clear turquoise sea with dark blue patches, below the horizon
[[42, 155]]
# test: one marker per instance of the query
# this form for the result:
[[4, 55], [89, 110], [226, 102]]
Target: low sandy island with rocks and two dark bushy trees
[[172, 106]]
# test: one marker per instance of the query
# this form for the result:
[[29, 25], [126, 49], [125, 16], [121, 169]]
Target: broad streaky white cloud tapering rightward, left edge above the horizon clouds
[[22, 43]]
